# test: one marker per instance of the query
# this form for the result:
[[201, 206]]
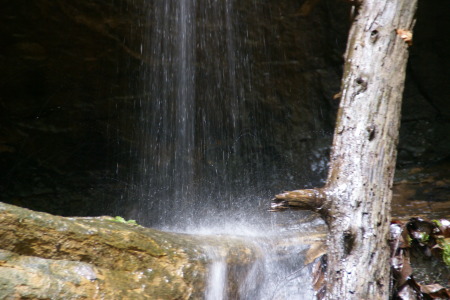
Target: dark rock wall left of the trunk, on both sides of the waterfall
[[72, 77]]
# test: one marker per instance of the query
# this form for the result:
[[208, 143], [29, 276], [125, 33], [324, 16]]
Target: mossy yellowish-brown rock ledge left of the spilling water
[[49, 257]]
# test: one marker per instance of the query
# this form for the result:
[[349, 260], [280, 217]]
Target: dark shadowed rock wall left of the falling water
[[63, 81]]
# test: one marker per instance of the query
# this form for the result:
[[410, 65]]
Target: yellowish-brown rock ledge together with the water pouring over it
[[44, 256]]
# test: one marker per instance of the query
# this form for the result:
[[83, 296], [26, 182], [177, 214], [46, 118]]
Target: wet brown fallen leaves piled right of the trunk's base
[[420, 259]]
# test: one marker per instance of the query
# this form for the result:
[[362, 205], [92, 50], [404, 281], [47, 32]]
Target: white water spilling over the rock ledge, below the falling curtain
[[278, 270]]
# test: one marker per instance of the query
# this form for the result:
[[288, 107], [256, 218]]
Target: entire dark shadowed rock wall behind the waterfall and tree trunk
[[70, 72]]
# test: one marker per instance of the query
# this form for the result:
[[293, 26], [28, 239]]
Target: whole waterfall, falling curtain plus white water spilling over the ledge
[[205, 160]]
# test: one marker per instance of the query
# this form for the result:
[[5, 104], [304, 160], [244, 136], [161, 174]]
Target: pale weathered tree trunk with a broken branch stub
[[356, 199]]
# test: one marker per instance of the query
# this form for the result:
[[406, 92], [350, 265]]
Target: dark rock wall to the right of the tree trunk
[[425, 111]]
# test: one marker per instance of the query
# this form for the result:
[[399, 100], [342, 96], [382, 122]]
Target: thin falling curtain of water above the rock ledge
[[199, 143]]
